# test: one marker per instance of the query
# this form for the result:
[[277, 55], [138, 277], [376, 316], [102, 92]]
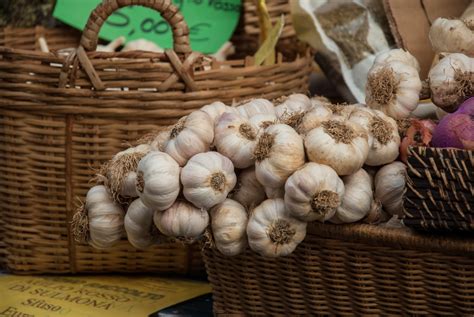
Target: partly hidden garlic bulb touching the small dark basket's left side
[[390, 186]]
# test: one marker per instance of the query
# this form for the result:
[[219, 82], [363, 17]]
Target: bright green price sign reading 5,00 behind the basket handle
[[211, 22]]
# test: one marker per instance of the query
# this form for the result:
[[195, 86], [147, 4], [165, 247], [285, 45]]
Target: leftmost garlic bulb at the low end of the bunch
[[105, 218]]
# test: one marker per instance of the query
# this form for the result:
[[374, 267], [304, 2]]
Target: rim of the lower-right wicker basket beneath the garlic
[[394, 237]]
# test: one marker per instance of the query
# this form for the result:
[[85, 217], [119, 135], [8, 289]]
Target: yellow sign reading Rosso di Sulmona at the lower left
[[91, 296]]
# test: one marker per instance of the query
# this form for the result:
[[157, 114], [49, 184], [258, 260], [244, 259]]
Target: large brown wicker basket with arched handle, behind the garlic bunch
[[61, 117]]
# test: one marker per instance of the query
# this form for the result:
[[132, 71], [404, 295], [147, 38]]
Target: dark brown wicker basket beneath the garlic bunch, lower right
[[359, 270]]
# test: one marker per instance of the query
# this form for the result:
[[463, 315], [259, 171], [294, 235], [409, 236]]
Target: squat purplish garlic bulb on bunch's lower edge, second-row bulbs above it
[[182, 220]]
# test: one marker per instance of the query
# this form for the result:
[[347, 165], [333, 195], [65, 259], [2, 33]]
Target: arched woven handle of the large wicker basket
[[167, 10]]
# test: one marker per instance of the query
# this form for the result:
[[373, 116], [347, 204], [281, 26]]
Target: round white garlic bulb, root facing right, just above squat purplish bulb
[[207, 178]]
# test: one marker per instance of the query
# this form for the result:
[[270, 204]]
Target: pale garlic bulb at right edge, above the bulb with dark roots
[[452, 36]]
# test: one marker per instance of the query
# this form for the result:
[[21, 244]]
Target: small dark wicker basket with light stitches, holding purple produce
[[440, 194]]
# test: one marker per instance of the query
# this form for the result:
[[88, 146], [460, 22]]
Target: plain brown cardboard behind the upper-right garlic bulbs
[[410, 22]]
